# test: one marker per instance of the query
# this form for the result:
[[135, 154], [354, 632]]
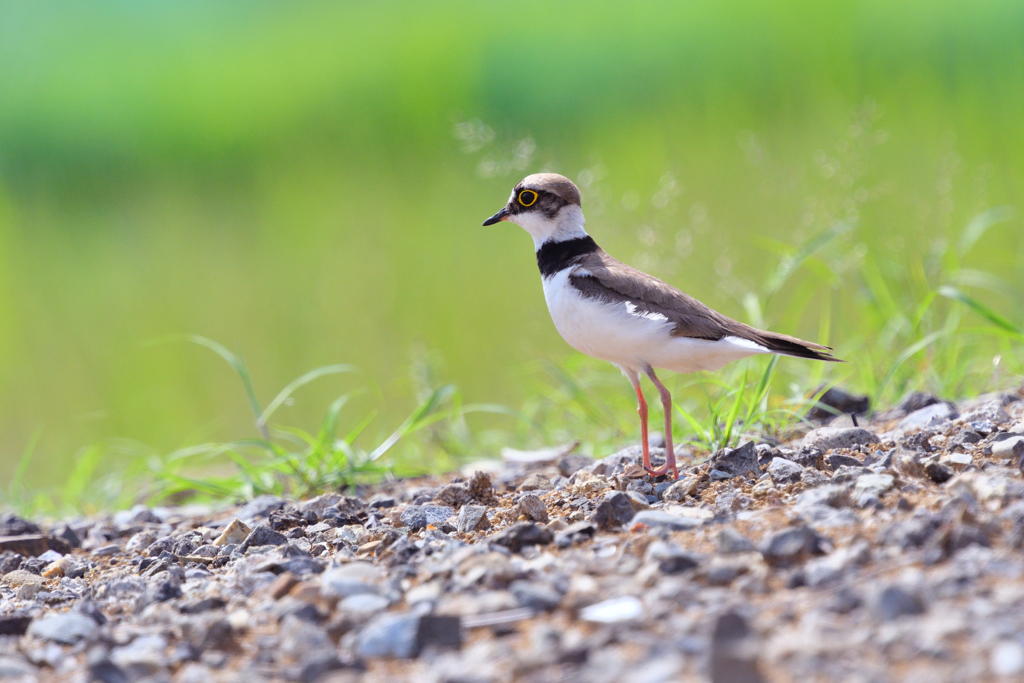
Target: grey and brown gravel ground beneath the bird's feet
[[886, 552]]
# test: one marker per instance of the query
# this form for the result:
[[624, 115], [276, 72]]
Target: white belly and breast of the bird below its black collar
[[632, 340]]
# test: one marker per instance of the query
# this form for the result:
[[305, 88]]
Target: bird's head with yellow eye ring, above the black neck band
[[547, 206]]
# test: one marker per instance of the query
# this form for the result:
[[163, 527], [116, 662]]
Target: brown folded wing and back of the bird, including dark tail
[[615, 282]]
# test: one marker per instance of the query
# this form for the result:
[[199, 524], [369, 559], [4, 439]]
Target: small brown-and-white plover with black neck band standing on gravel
[[615, 313]]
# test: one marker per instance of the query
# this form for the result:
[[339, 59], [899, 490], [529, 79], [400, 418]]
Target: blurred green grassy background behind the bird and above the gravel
[[305, 183]]
